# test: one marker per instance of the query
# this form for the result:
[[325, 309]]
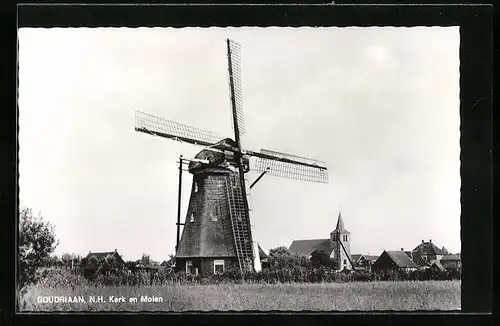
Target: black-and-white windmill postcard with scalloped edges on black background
[[239, 168]]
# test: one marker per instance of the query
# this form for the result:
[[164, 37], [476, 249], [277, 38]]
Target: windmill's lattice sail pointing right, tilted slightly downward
[[290, 166]]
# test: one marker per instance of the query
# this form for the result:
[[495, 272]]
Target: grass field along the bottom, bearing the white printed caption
[[425, 295]]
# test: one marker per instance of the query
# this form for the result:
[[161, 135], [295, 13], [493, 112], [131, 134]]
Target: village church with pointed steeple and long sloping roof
[[338, 246]]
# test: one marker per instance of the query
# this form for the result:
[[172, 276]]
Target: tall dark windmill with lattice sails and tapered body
[[217, 232]]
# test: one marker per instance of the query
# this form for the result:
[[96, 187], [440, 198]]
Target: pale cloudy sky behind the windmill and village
[[379, 105]]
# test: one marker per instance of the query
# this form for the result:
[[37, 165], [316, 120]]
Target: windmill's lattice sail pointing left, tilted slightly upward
[[157, 126]]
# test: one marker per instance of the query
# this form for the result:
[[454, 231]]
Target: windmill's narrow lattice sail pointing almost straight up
[[235, 87]]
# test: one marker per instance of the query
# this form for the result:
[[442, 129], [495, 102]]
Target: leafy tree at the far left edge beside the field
[[37, 240]]
